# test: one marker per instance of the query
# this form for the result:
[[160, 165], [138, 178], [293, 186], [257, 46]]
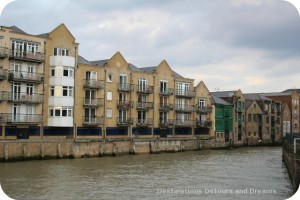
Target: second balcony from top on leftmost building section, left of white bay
[[26, 77]]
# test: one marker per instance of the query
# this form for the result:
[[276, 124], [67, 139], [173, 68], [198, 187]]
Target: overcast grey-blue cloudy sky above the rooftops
[[252, 45]]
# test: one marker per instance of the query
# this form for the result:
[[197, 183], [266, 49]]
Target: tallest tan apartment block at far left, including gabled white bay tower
[[37, 81]]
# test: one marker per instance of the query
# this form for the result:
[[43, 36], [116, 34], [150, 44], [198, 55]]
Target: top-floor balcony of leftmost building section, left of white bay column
[[21, 55]]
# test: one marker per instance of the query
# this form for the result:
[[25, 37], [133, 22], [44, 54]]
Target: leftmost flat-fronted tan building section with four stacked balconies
[[22, 73]]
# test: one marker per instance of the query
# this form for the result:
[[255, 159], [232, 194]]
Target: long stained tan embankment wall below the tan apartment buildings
[[13, 150]]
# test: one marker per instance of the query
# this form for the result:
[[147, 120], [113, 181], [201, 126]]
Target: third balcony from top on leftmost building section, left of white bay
[[25, 98]]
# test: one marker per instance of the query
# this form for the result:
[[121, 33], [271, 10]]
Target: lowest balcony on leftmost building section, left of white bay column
[[23, 118]]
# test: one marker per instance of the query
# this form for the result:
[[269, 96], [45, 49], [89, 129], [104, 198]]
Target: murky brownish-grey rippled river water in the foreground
[[244, 173]]
